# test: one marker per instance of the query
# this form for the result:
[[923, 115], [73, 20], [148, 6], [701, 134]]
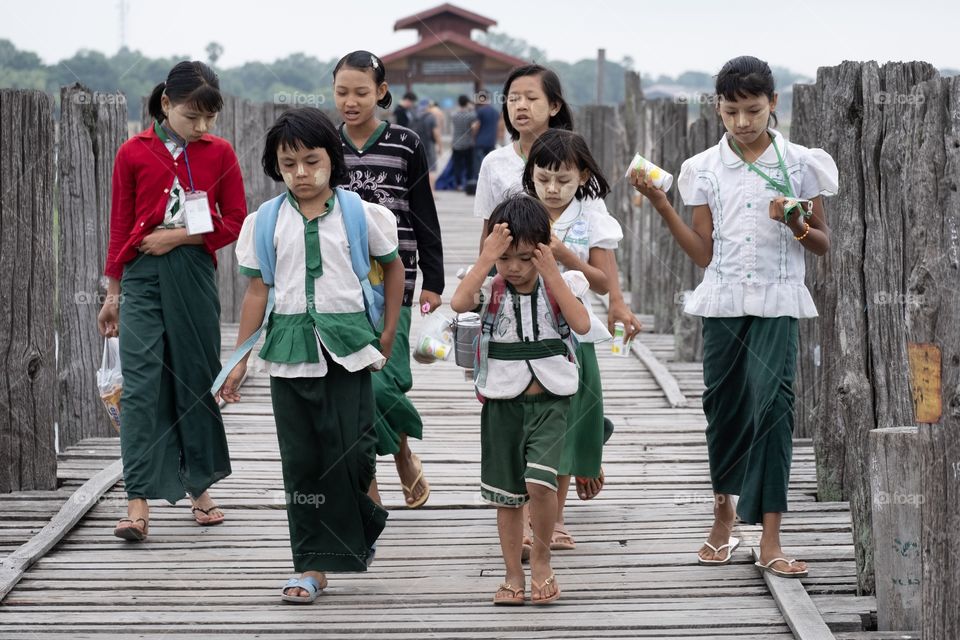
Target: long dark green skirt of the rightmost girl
[[749, 365]]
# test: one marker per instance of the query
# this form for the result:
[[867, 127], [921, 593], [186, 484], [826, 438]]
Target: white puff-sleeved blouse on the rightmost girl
[[757, 267]]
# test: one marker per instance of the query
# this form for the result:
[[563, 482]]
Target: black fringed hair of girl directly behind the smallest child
[[558, 147]]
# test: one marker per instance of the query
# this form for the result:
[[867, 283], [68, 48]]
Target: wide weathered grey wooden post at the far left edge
[[28, 392]]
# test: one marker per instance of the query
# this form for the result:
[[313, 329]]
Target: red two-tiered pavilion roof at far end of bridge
[[446, 53]]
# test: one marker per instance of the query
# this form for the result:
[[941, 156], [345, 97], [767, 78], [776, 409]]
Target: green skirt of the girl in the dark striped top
[[394, 413]]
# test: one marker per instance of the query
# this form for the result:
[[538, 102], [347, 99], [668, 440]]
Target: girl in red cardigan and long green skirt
[[177, 198]]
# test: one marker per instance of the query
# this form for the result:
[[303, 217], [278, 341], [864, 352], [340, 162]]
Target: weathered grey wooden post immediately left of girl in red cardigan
[[92, 127]]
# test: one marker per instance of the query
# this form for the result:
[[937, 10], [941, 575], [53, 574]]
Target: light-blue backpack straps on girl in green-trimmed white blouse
[[370, 274]]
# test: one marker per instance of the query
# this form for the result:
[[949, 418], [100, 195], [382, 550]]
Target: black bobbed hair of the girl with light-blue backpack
[[304, 128]]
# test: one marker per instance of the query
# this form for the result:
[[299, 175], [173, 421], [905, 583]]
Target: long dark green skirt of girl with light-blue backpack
[[327, 441]]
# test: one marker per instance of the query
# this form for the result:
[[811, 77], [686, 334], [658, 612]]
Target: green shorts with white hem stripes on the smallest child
[[521, 441]]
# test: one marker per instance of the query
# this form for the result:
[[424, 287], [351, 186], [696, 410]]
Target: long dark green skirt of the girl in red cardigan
[[172, 439]]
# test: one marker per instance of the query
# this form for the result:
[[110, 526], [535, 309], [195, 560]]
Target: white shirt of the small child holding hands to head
[[510, 378]]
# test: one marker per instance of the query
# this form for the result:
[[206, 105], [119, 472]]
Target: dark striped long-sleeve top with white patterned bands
[[391, 170]]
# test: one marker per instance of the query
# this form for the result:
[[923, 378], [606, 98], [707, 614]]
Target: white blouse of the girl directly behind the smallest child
[[582, 228]]
